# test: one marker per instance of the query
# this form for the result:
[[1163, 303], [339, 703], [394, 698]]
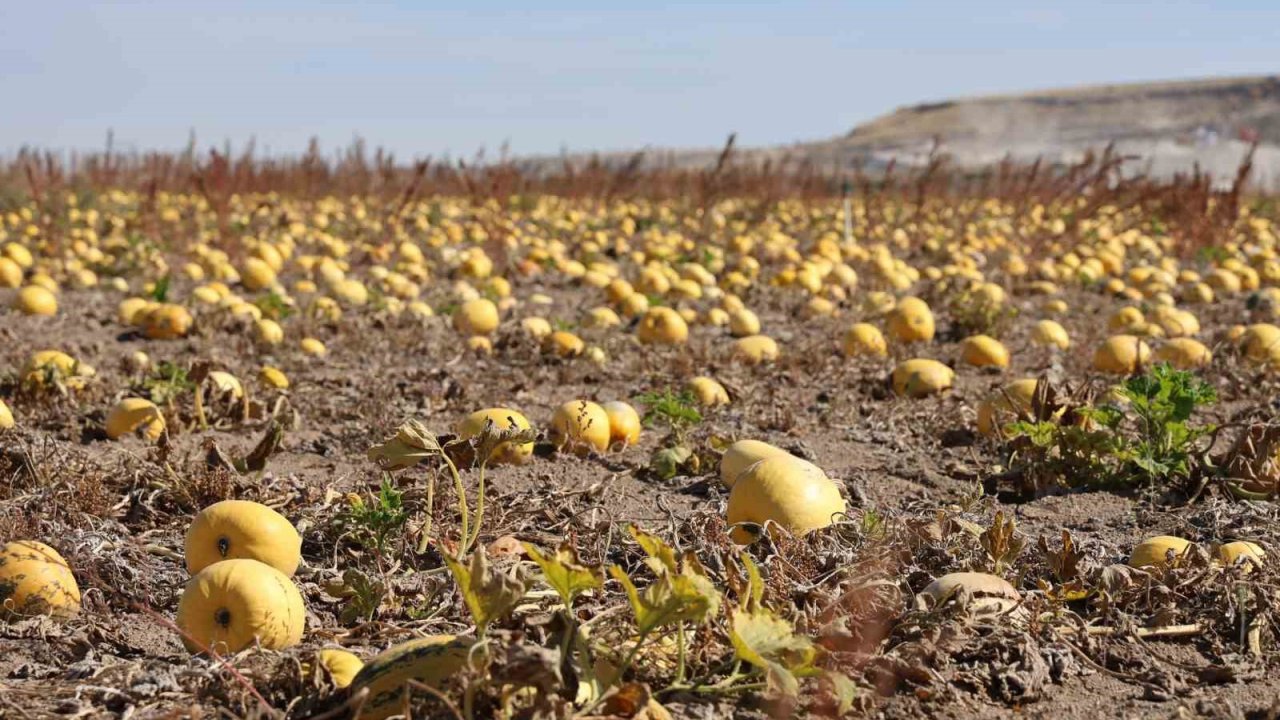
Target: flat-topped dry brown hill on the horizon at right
[[1169, 126]]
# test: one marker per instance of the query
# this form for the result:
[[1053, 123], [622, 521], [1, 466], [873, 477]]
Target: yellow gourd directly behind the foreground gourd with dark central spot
[[243, 530]]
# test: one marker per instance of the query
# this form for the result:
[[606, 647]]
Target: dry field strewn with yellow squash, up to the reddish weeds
[[278, 443]]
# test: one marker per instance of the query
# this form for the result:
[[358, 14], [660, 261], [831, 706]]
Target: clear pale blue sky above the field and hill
[[420, 79]]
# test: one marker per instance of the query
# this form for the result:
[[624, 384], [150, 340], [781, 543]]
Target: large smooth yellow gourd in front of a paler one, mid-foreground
[[784, 491]]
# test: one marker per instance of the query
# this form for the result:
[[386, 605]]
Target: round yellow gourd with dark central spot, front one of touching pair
[[234, 604]]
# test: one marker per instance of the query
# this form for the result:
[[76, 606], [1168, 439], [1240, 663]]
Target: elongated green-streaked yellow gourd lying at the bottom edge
[[428, 662]]
